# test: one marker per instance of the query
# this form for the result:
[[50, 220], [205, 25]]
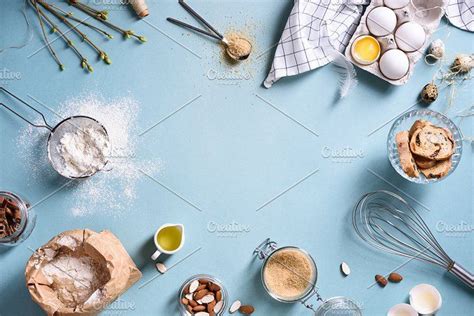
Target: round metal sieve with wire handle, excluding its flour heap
[[67, 125]]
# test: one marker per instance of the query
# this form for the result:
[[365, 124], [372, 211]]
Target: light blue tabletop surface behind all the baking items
[[229, 153]]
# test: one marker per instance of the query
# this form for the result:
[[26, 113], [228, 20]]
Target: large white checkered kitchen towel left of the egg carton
[[313, 29]]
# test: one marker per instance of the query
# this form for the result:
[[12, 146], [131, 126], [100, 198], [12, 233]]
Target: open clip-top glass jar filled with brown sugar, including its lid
[[289, 275]]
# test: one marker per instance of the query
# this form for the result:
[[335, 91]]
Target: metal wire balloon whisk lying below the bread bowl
[[387, 222]]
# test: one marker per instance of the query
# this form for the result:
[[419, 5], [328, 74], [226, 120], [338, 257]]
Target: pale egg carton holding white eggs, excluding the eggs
[[427, 13]]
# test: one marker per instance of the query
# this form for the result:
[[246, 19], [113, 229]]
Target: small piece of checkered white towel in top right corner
[[461, 14]]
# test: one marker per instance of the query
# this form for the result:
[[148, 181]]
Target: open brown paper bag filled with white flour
[[79, 272]]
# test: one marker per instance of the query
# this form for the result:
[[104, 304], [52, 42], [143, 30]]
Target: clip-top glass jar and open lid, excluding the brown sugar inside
[[333, 306]]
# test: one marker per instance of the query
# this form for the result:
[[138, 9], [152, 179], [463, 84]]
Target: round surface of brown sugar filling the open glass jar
[[289, 273]]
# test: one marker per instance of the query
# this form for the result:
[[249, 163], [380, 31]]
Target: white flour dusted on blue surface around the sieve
[[112, 190]]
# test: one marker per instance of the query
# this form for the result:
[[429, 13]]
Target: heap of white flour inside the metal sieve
[[83, 152]]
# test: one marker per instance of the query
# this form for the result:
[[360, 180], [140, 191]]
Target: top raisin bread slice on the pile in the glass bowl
[[432, 142]]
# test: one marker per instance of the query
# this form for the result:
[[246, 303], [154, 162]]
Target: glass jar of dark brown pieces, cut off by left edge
[[17, 219]]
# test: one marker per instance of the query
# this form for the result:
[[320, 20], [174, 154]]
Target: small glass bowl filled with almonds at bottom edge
[[202, 295]]
